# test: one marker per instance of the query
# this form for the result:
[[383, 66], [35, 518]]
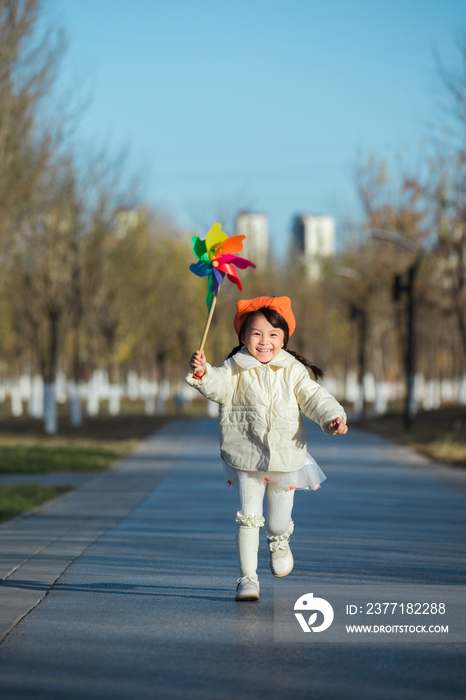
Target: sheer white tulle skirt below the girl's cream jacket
[[308, 478]]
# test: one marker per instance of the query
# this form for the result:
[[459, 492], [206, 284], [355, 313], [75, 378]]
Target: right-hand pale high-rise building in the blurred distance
[[313, 239]]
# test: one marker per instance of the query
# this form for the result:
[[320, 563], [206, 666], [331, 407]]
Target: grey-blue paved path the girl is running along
[[146, 609]]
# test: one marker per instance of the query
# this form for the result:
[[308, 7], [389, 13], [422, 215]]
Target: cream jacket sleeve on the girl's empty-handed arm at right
[[316, 402]]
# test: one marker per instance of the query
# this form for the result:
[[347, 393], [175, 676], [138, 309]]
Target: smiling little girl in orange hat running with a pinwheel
[[262, 389]]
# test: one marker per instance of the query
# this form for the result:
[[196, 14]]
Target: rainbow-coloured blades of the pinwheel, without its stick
[[216, 259]]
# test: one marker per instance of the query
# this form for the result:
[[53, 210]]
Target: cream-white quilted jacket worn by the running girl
[[261, 427]]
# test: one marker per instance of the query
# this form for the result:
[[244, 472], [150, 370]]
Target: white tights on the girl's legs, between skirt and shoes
[[249, 518]]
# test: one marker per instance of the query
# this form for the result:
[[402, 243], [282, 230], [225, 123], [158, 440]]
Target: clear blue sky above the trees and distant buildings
[[255, 104]]
